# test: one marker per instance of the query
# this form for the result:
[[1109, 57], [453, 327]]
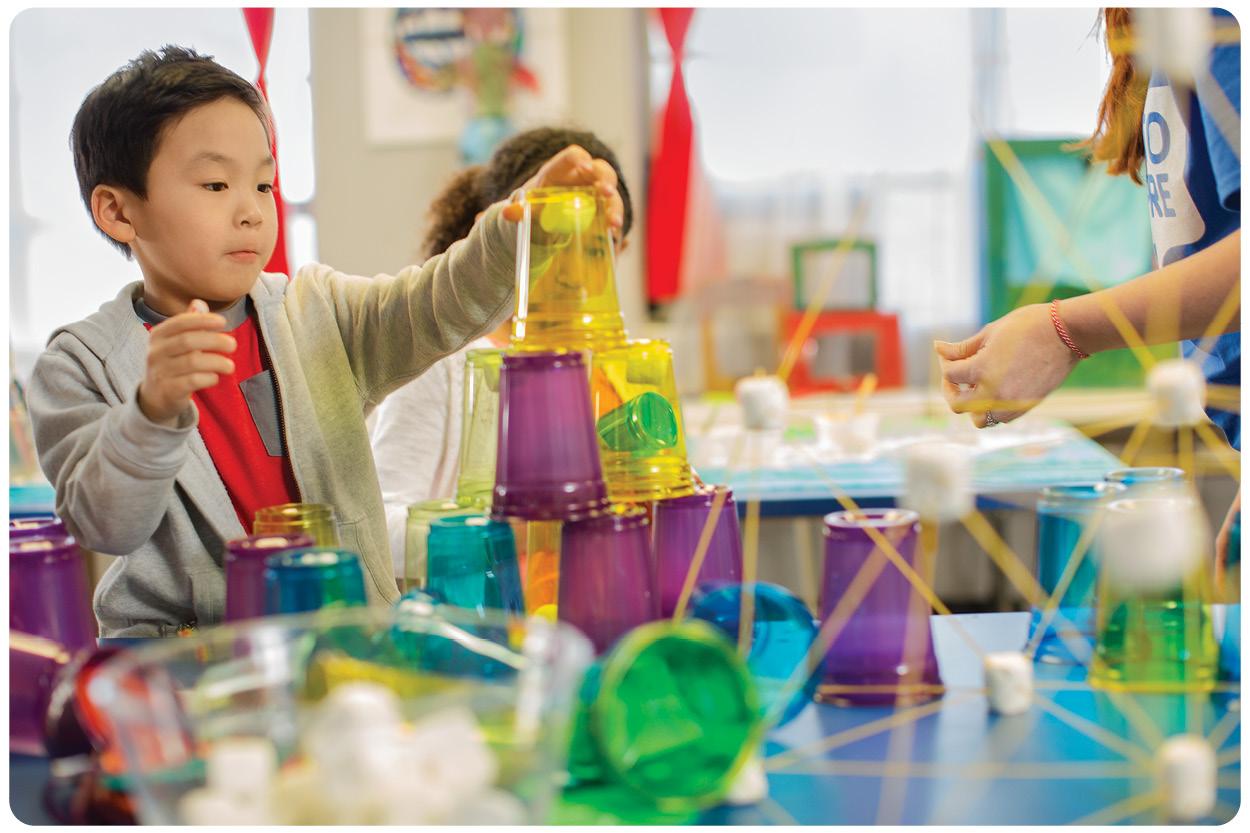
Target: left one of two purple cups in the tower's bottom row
[[606, 576]]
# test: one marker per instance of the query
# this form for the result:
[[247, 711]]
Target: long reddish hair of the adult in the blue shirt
[[1118, 139]]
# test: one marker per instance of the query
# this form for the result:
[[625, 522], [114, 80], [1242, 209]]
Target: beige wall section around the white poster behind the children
[[372, 201]]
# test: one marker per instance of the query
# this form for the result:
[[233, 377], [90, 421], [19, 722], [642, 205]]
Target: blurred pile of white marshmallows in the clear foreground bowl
[[362, 765]]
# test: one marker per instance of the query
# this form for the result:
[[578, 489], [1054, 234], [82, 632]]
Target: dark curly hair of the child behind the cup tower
[[472, 191]]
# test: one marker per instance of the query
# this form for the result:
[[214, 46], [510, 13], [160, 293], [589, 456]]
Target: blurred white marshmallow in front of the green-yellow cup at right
[[1151, 545]]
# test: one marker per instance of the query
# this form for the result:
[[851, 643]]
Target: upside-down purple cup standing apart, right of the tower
[[886, 652]]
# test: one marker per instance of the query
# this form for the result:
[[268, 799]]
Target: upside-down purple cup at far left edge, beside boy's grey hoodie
[[48, 592]]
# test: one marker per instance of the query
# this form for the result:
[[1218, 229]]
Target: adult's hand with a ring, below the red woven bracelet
[[1007, 368]]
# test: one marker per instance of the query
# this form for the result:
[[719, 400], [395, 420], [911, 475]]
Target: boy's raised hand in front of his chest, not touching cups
[[184, 356]]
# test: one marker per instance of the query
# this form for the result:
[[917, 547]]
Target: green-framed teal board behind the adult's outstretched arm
[[1109, 208]]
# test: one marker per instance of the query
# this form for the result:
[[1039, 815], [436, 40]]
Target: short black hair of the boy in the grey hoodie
[[121, 123]]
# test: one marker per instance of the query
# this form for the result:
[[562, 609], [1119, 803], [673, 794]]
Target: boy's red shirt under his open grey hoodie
[[241, 423]]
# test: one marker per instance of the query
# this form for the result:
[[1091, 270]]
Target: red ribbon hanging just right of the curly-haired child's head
[[671, 173]]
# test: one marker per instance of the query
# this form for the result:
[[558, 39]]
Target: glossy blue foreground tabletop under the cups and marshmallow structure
[[1052, 772]]
